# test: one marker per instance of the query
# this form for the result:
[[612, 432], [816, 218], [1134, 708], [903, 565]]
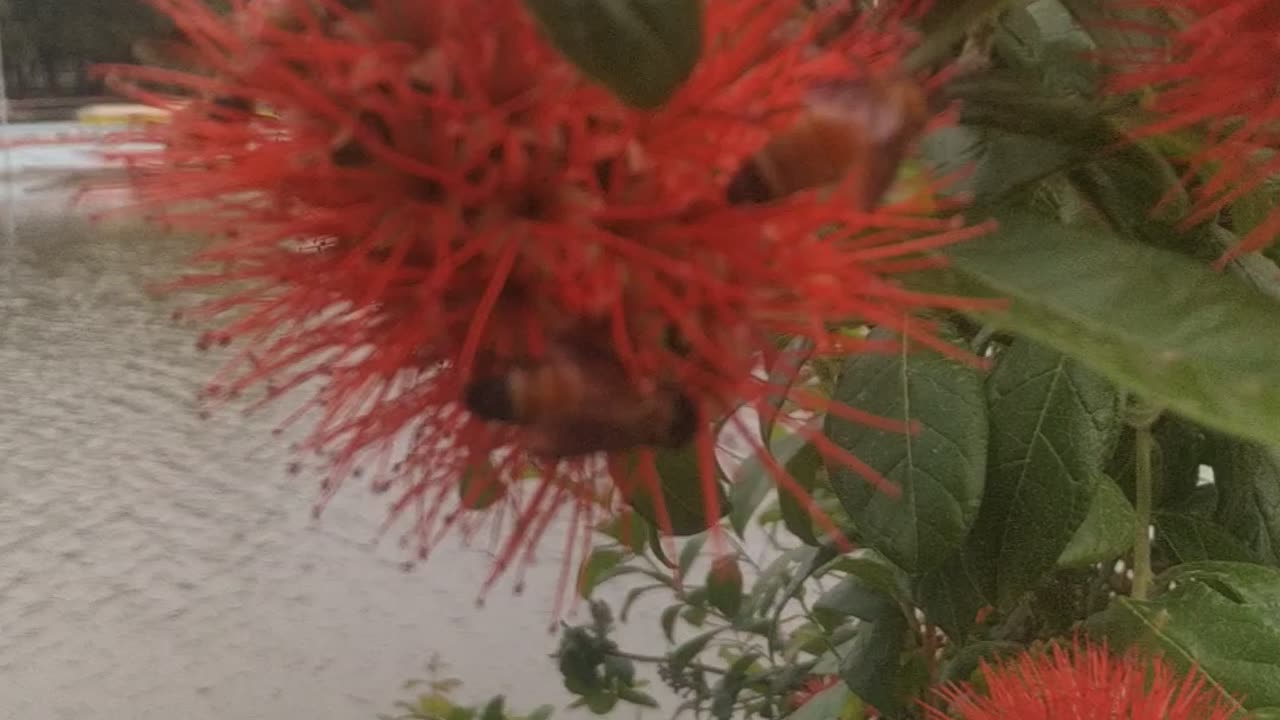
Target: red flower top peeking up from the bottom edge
[[1085, 683]]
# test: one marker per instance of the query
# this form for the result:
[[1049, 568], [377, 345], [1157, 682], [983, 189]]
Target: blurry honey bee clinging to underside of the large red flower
[[578, 400]]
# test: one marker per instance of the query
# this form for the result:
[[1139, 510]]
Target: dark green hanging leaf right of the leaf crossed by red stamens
[[1053, 427]]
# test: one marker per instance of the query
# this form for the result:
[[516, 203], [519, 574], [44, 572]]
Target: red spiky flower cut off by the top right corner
[[1218, 69]]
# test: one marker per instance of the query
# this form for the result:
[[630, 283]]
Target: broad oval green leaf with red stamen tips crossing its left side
[[940, 470]]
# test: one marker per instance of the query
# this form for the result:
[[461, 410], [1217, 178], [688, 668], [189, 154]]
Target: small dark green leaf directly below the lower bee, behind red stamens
[[682, 485]]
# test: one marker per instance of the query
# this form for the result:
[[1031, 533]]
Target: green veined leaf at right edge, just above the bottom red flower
[[1222, 618]]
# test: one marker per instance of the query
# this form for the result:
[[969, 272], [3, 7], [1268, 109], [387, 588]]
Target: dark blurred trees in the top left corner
[[49, 45]]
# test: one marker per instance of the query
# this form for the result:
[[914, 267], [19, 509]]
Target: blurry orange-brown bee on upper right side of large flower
[[856, 131]]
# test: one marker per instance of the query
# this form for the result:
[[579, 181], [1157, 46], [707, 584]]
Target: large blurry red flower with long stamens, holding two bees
[[412, 199]]
